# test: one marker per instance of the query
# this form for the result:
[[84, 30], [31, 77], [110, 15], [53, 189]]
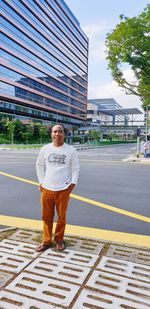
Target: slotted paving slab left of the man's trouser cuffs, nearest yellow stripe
[[26, 236]]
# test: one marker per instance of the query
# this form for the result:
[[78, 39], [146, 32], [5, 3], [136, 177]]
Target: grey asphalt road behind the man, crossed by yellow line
[[104, 177]]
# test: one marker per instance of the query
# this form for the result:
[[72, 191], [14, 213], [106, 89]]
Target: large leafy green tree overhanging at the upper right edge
[[129, 44]]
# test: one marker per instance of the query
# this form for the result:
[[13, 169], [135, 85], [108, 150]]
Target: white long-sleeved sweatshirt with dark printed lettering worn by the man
[[57, 167]]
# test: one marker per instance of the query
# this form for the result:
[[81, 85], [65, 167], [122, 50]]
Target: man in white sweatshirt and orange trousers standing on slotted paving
[[57, 169]]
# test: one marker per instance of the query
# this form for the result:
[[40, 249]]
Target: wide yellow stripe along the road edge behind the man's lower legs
[[126, 238]]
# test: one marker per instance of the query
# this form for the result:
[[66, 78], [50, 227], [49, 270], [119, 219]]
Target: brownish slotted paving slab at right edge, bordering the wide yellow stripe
[[131, 254]]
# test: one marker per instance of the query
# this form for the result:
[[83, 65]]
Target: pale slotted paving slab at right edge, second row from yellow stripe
[[121, 267]]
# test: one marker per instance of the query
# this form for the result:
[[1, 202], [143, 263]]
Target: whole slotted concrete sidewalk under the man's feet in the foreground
[[90, 273]]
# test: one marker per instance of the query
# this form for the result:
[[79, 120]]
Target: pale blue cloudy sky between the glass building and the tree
[[97, 18]]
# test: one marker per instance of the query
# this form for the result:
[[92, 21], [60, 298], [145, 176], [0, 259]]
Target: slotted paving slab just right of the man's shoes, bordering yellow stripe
[[84, 245]]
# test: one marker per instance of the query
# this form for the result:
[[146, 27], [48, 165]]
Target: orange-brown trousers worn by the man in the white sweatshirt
[[49, 201]]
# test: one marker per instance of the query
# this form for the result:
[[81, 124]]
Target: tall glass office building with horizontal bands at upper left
[[44, 62]]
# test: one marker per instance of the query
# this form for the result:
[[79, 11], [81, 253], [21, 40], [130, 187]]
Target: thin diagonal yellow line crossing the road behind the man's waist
[[89, 201]]
